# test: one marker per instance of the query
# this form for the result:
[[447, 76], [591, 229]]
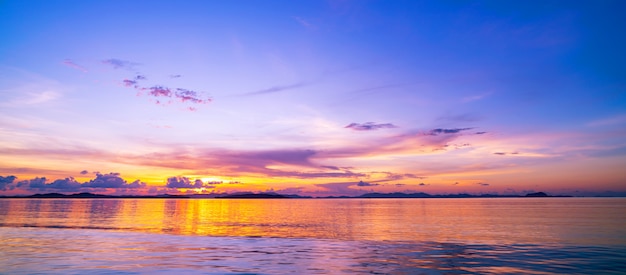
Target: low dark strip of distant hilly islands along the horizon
[[247, 195]]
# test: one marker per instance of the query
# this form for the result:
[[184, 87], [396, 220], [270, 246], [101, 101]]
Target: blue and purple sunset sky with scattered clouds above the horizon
[[314, 98]]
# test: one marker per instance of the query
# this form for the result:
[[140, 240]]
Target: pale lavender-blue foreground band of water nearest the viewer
[[39, 250]]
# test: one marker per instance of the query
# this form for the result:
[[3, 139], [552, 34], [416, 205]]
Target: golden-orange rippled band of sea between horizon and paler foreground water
[[441, 220]]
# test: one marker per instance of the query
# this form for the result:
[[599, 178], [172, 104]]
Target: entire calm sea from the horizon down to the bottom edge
[[313, 236]]
